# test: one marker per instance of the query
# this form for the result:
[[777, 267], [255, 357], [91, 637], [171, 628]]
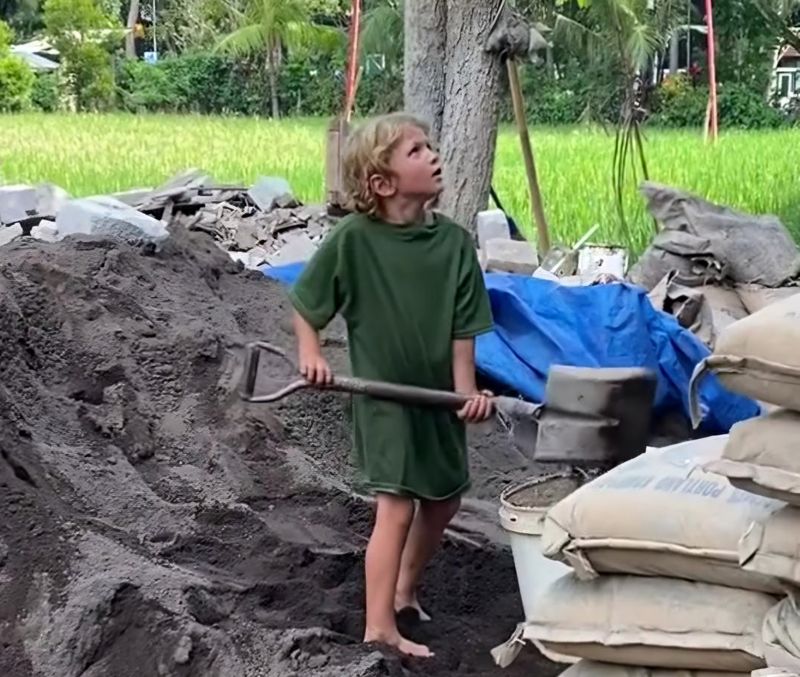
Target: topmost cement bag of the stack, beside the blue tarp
[[758, 357]]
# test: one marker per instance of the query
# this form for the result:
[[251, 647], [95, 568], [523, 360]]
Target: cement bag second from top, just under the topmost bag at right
[[762, 456]]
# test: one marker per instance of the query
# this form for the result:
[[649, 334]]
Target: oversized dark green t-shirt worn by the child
[[405, 292]]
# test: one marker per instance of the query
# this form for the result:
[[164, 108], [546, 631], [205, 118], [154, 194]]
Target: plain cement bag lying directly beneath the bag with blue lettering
[[652, 622]]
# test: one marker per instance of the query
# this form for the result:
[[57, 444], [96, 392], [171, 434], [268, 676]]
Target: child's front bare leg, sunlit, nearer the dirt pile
[[393, 518]]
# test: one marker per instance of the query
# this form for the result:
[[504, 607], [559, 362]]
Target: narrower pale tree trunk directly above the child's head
[[424, 61]]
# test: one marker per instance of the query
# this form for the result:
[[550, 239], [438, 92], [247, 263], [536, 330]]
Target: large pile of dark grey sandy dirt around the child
[[153, 524]]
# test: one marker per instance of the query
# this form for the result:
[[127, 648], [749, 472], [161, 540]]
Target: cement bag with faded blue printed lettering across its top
[[660, 514]]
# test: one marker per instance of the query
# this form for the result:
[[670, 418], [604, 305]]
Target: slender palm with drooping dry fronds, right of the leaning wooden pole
[[632, 33]]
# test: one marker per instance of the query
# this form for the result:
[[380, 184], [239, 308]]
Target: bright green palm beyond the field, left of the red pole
[[274, 25]]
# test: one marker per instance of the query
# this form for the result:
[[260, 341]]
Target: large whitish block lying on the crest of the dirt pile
[[104, 215]]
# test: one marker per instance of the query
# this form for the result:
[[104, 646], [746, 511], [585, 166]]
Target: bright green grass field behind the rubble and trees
[[86, 154]]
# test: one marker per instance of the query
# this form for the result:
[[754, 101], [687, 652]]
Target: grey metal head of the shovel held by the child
[[595, 416]]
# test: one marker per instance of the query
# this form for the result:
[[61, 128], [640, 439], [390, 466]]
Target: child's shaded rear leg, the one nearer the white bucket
[[426, 531]]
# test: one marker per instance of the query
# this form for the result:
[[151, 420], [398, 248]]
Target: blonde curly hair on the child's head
[[368, 151]]
